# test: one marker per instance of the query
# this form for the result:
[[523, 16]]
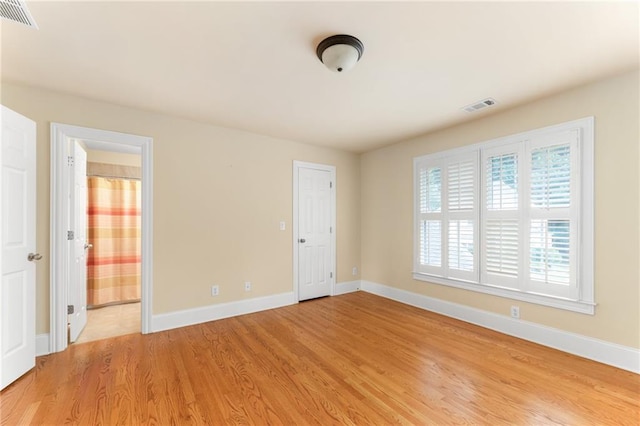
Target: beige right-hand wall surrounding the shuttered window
[[387, 215]]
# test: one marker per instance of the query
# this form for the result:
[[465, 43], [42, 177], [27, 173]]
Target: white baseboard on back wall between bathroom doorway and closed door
[[188, 317]]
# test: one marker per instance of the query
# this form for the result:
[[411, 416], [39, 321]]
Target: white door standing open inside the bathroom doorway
[[78, 268]]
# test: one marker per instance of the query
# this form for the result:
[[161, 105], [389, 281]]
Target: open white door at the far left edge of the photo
[[18, 240]]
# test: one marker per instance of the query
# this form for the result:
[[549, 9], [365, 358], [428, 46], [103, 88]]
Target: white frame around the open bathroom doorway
[[104, 140]]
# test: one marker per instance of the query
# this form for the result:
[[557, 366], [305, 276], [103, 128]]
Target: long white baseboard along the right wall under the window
[[623, 357]]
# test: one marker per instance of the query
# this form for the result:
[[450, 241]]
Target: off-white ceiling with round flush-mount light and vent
[[252, 65]]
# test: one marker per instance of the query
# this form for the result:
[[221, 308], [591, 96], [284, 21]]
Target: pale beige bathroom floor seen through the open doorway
[[111, 321]]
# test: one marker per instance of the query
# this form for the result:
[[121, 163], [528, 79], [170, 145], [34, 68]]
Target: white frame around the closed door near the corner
[[297, 165]]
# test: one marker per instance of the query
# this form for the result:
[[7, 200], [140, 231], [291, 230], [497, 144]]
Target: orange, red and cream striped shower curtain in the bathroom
[[113, 265]]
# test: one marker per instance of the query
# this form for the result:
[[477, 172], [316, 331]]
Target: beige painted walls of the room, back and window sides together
[[219, 195]]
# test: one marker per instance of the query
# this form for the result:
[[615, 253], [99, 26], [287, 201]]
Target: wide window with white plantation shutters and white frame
[[511, 217]]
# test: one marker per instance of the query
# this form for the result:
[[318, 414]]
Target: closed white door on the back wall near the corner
[[315, 273]]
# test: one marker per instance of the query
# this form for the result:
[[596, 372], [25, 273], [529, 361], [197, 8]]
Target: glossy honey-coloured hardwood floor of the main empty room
[[351, 359]]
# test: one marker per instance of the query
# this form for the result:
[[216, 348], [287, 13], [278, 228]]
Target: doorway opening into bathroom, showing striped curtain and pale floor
[[113, 235]]
